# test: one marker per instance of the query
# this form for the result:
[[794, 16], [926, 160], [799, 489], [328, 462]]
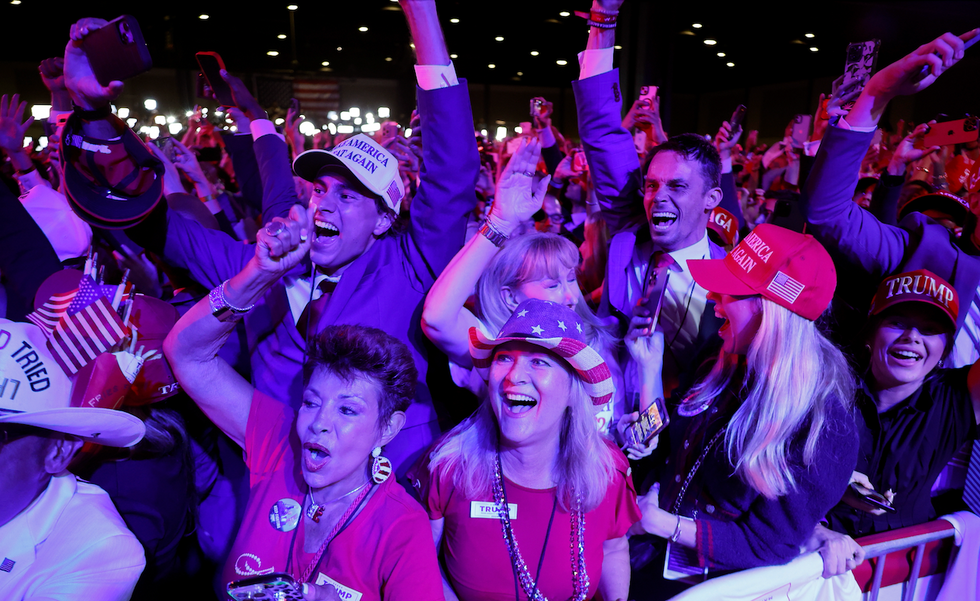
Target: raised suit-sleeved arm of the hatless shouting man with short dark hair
[[613, 161]]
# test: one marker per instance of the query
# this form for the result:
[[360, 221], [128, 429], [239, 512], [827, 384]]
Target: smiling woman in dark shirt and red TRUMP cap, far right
[[913, 415]]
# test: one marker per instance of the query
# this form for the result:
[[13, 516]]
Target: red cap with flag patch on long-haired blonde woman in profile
[[792, 270]]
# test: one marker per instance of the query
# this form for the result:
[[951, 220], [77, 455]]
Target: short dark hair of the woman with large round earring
[[350, 352]]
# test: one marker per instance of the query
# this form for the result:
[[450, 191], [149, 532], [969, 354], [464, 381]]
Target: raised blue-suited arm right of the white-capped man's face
[[450, 161]]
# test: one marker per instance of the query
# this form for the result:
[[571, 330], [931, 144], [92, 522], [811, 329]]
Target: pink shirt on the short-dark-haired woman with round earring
[[386, 552]]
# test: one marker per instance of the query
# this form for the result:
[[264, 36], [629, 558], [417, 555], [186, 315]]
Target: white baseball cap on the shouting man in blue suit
[[366, 160]]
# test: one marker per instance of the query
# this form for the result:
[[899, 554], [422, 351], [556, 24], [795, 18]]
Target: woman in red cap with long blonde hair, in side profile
[[764, 445]]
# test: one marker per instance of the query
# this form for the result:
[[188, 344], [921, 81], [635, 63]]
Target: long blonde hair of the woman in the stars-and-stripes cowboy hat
[[585, 465]]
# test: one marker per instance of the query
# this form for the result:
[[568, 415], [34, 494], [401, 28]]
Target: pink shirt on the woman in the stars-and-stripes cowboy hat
[[476, 556]]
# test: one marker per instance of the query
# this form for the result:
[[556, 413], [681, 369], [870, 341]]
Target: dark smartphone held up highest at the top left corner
[[117, 50]]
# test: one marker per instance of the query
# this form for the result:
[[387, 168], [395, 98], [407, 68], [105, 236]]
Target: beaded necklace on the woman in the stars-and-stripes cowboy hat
[[580, 577]]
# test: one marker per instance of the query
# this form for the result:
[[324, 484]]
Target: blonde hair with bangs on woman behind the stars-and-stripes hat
[[524, 259]]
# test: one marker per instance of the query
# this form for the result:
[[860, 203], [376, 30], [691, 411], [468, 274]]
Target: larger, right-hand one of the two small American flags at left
[[88, 328]]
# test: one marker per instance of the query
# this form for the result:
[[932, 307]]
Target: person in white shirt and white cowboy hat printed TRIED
[[60, 538]]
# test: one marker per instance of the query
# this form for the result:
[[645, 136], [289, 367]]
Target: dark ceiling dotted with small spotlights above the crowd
[[765, 41]]
